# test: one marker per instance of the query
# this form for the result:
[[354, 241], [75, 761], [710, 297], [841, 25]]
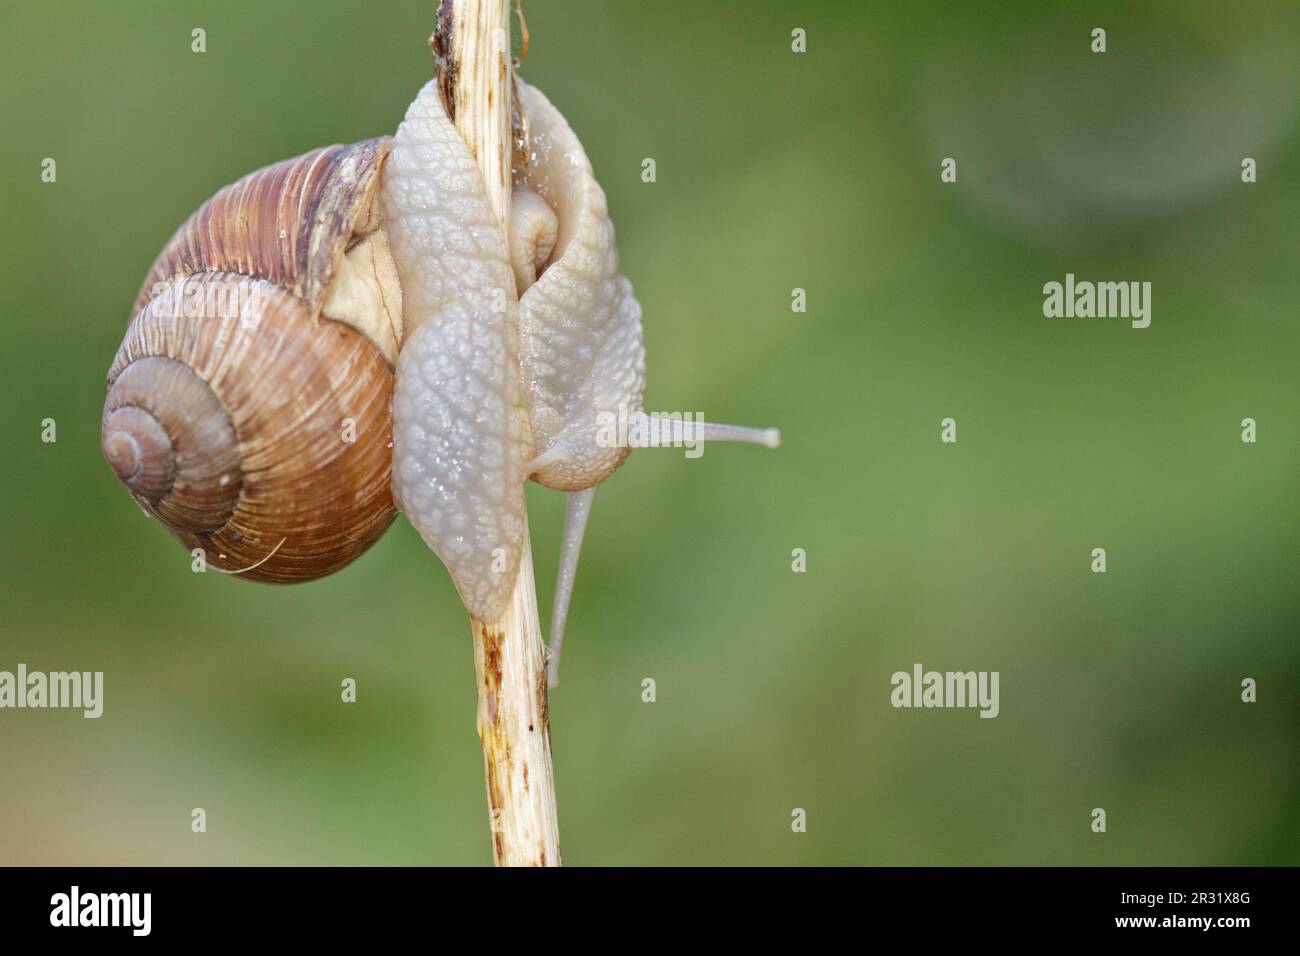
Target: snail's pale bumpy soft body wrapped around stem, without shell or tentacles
[[493, 388]]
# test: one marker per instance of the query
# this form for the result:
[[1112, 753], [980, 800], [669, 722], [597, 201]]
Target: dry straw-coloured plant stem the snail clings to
[[474, 46]]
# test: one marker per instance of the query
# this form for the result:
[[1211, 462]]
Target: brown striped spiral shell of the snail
[[239, 414]]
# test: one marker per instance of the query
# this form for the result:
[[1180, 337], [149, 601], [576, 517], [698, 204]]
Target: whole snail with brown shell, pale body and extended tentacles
[[350, 334]]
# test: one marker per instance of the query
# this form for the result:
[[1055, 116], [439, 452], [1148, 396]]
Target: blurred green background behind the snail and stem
[[775, 171]]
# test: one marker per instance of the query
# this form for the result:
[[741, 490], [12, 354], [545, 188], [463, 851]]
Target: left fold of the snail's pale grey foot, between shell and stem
[[461, 426]]
